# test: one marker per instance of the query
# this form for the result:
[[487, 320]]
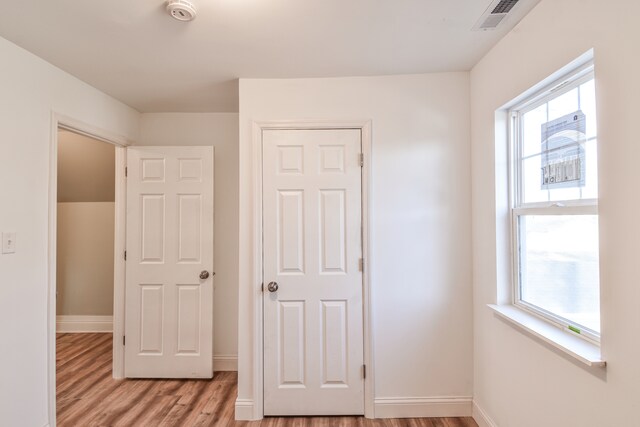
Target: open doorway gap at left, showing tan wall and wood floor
[[84, 258]]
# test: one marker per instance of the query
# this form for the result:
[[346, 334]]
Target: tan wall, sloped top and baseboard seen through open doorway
[[85, 231]]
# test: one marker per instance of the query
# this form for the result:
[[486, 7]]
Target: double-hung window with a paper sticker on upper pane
[[554, 204]]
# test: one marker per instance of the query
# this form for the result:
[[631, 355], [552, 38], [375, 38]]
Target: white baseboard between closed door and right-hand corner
[[415, 407]]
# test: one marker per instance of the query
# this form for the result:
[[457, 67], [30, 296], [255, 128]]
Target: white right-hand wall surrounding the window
[[518, 381]]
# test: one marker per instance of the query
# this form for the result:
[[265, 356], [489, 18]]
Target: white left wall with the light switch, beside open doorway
[[31, 90]]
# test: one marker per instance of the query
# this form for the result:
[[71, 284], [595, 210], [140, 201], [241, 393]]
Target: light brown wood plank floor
[[88, 396]]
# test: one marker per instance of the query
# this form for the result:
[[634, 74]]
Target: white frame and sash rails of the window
[[565, 207]]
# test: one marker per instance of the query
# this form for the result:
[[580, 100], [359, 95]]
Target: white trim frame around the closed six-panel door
[[257, 272]]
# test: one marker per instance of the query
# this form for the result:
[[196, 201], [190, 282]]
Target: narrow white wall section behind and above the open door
[[219, 130]]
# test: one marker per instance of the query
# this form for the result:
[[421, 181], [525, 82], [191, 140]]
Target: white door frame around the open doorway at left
[[60, 121]]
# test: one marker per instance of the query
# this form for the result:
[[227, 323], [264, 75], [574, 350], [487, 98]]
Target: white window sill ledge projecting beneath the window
[[582, 350]]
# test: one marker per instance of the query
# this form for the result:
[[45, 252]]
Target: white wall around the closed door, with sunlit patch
[[421, 259]]
